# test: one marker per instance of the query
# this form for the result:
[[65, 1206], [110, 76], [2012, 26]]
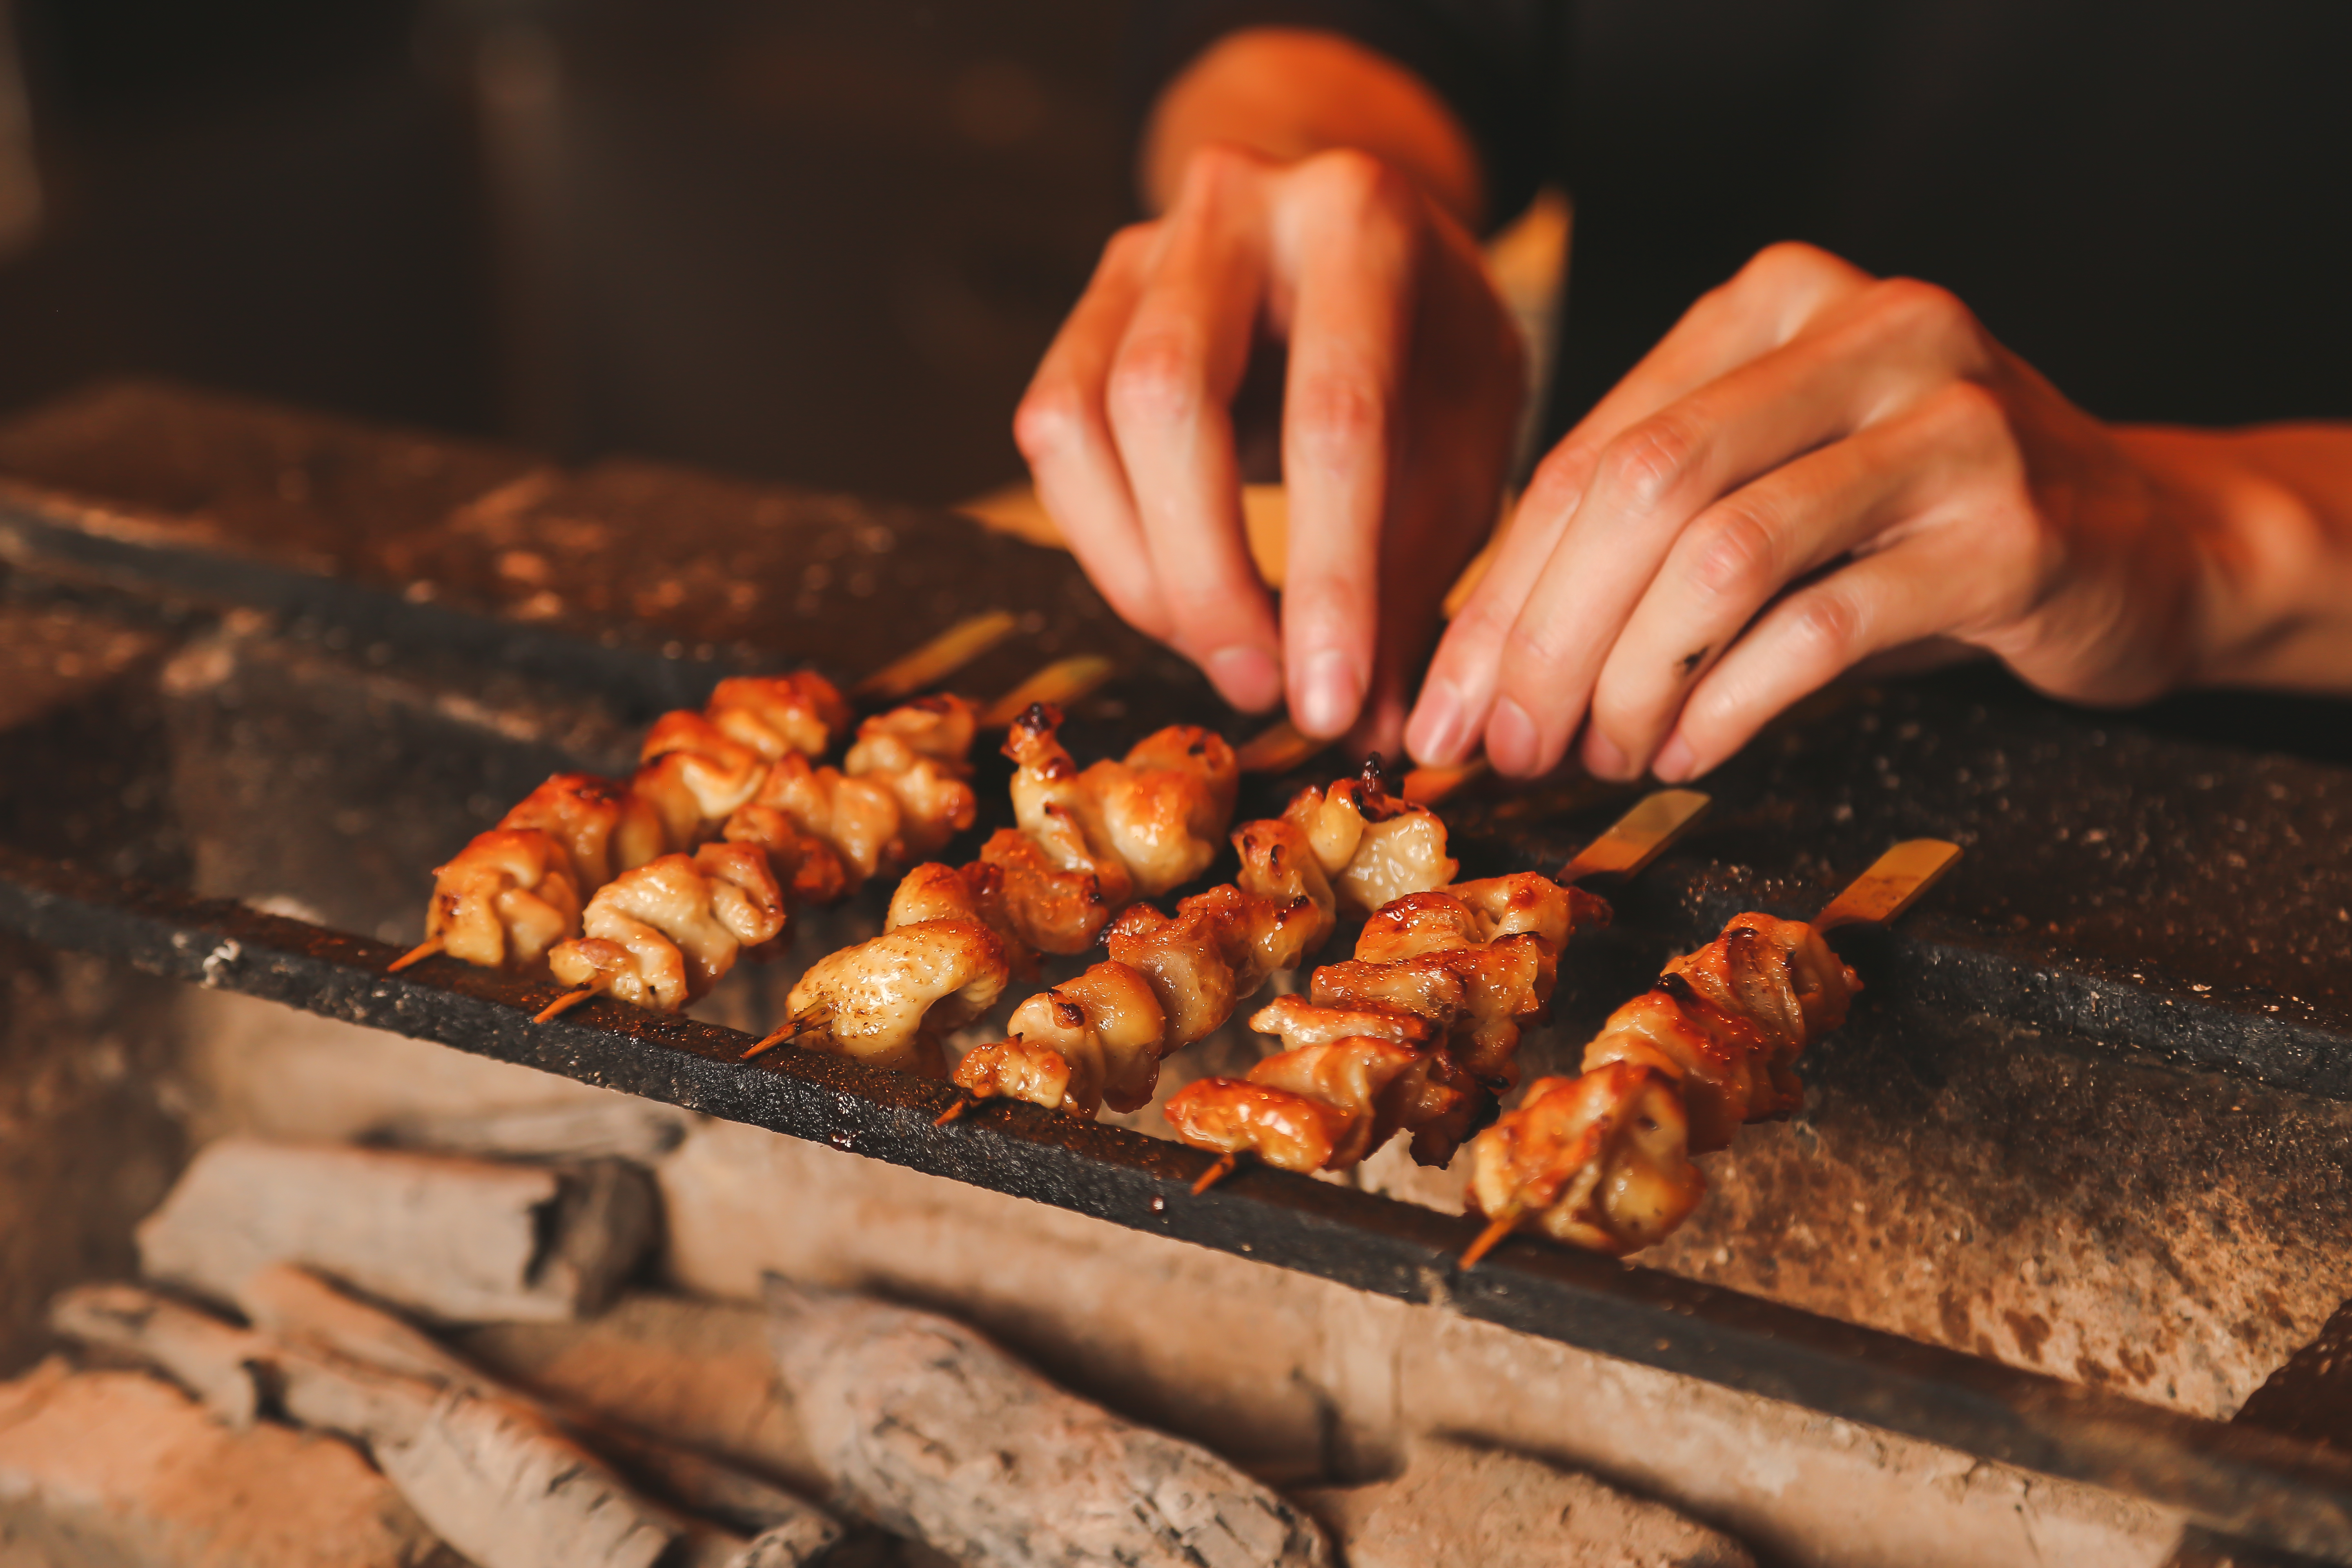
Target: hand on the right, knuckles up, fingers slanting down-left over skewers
[[1810, 471]]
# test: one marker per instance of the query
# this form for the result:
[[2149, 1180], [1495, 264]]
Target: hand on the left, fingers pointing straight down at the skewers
[[1401, 401]]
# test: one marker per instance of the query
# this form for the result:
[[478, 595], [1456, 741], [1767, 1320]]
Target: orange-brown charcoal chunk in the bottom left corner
[[121, 1470]]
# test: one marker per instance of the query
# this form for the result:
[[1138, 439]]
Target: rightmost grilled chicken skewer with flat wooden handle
[[1605, 1160]]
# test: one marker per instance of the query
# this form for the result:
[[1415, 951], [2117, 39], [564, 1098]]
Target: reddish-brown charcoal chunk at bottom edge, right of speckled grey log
[[1459, 1506]]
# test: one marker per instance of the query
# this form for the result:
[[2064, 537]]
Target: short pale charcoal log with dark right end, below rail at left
[[448, 1238]]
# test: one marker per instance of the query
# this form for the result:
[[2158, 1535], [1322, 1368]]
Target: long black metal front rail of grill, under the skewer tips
[[2233, 1480]]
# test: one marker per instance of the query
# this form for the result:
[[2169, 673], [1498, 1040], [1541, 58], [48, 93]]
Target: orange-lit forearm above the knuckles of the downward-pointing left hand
[[1292, 93]]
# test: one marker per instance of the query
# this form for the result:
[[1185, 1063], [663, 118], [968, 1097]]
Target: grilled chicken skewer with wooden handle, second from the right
[[1422, 1028]]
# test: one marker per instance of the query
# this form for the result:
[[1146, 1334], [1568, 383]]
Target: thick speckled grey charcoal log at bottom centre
[[935, 1433]]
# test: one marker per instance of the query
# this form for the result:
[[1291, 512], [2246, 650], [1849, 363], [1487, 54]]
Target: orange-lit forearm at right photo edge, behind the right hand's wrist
[[2273, 509]]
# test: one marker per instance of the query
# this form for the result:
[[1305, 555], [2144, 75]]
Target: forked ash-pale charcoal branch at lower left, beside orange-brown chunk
[[500, 1477]]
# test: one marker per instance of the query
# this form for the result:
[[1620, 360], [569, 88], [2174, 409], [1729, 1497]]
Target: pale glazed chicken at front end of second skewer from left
[[662, 934]]
